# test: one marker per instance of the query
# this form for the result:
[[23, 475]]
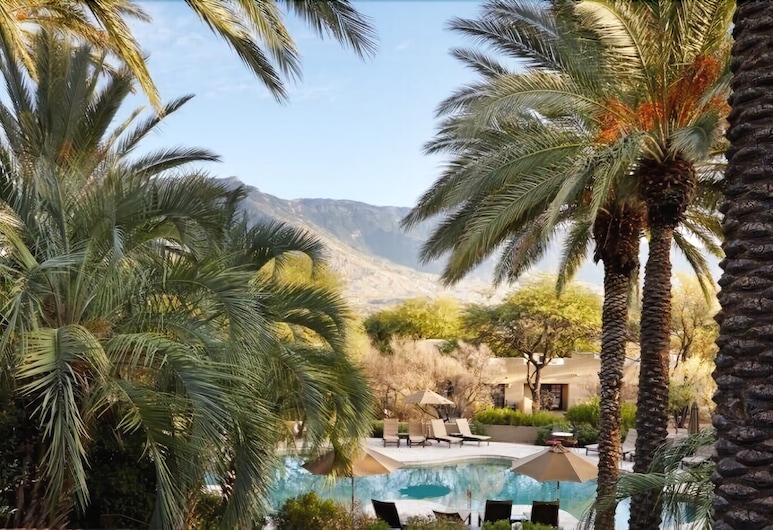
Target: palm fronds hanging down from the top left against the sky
[[255, 30]]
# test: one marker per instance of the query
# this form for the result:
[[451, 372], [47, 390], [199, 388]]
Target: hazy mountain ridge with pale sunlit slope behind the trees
[[378, 261]]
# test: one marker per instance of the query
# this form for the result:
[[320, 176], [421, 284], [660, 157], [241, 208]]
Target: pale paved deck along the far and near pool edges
[[440, 453]]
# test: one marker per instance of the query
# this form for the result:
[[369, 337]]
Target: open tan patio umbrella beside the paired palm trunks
[[556, 463]]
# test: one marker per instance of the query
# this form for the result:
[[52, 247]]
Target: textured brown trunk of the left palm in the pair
[[613, 338]]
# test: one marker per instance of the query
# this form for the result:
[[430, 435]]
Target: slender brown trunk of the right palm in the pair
[[652, 404]]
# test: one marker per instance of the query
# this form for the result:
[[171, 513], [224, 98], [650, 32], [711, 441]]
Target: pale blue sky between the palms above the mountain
[[352, 129]]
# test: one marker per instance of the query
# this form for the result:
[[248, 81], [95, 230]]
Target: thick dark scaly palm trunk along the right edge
[[744, 397]]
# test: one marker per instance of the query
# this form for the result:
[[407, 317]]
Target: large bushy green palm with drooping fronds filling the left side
[[134, 297]]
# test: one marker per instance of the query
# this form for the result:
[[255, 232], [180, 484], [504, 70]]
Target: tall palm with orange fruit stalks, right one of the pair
[[678, 50]]
